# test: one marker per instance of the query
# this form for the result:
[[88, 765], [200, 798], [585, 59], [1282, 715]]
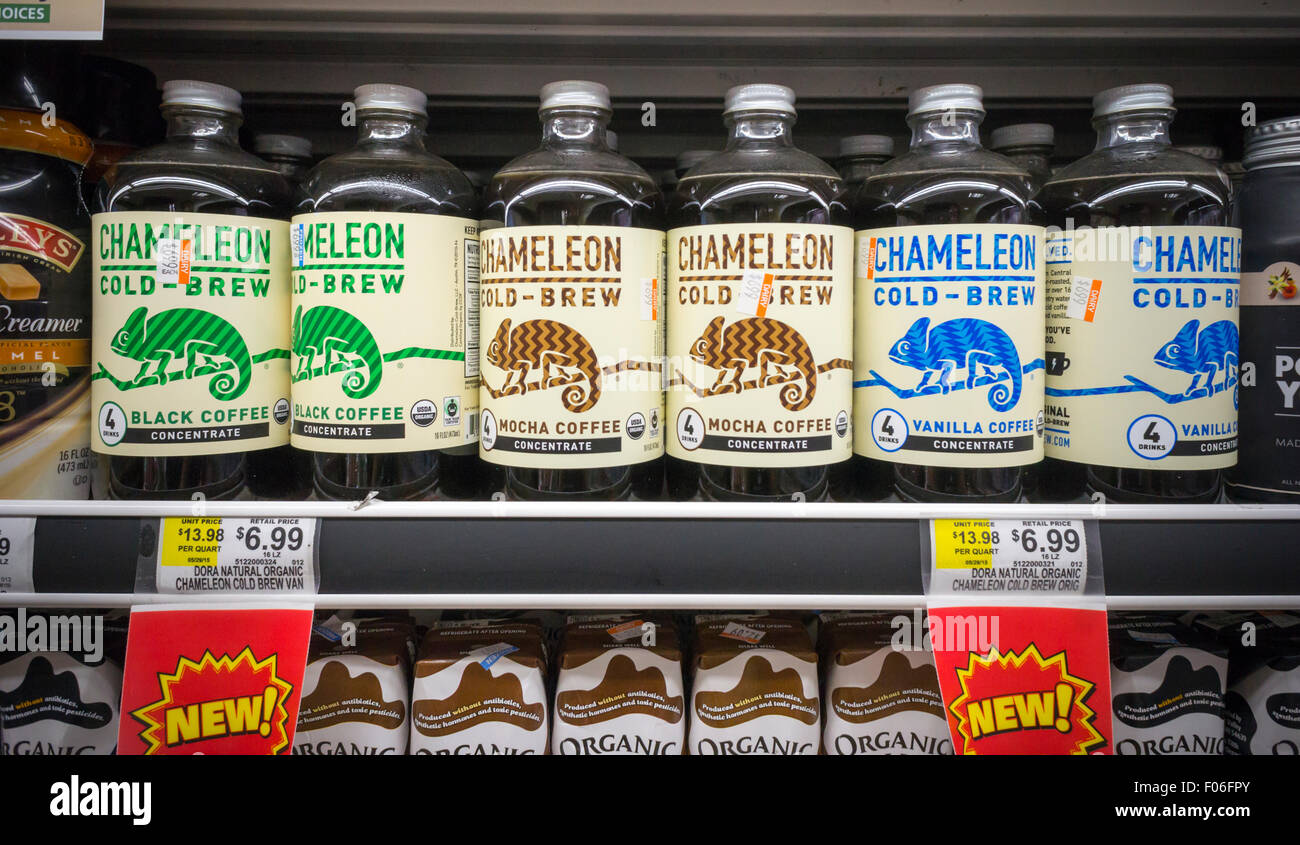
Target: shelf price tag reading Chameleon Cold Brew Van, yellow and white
[[200, 554]]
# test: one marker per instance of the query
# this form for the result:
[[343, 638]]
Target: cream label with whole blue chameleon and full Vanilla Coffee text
[[948, 352]]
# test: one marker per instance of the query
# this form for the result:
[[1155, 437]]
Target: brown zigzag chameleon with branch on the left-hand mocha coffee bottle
[[561, 358]]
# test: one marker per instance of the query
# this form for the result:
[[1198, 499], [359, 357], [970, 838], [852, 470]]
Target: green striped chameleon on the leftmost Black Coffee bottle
[[209, 345]]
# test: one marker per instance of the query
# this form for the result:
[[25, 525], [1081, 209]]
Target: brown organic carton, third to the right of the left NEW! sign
[[619, 688]]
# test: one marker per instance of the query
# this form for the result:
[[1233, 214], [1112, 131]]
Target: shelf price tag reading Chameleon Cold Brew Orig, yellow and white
[[1009, 557]]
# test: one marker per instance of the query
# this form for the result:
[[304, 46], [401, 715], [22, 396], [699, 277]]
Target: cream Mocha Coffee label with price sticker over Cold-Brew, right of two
[[760, 344]]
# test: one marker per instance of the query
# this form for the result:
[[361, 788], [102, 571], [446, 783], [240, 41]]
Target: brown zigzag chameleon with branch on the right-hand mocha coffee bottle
[[777, 350]]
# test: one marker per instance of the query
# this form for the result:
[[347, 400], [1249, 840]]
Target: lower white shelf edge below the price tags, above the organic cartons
[[618, 601]]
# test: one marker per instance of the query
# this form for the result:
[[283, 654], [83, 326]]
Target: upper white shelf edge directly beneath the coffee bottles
[[649, 510]]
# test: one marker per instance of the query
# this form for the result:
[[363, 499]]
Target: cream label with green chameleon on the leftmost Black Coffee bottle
[[190, 333]]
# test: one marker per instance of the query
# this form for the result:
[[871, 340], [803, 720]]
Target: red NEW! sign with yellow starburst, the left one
[[218, 681]]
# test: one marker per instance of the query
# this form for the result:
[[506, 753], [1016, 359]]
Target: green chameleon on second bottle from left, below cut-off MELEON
[[343, 344]]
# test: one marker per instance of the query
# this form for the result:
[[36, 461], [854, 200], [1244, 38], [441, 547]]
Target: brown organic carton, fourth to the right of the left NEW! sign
[[756, 687]]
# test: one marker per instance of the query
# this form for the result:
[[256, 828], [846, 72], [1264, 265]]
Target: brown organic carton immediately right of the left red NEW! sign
[[356, 691]]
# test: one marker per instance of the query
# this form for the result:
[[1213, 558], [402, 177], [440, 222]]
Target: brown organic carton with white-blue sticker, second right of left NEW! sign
[[480, 688]]
